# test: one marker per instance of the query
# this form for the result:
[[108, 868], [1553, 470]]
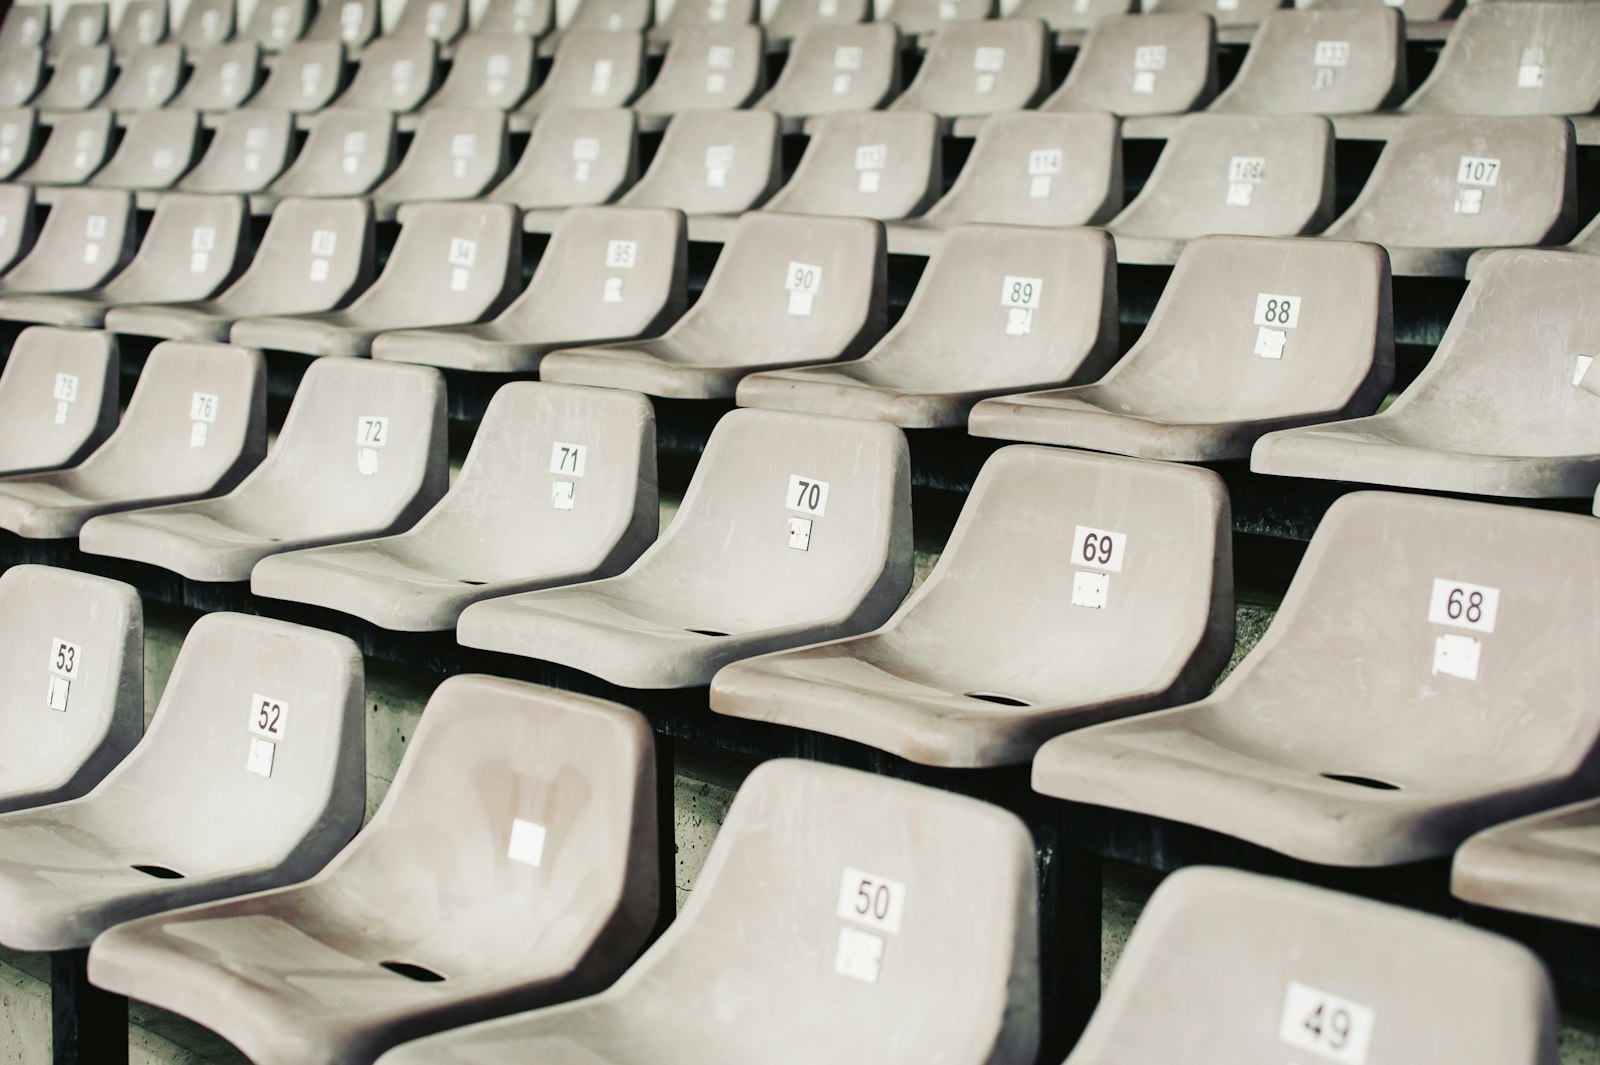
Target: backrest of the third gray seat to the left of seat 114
[[574, 158]]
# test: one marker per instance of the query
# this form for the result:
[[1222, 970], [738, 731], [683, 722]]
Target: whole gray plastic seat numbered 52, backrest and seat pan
[[198, 813]]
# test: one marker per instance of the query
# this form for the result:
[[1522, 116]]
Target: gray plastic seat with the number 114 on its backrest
[[1026, 169]]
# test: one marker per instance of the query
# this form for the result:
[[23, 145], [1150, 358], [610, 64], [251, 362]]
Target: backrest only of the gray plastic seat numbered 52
[[244, 692]]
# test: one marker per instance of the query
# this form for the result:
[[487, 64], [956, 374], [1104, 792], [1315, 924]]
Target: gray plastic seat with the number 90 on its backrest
[[786, 292]]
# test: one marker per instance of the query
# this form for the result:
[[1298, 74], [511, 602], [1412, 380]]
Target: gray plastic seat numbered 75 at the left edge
[[58, 399]]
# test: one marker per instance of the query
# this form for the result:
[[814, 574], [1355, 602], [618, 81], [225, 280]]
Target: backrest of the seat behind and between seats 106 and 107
[[1326, 62]]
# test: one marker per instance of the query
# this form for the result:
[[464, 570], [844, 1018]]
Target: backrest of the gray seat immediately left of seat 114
[[873, 164]]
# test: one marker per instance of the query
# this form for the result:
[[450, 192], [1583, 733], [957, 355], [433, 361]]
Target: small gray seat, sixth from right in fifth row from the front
[[716, 68]]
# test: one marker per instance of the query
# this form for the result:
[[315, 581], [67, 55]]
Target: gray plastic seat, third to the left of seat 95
[[191, 250]]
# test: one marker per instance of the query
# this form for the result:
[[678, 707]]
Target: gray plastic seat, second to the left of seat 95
[[314, 257]]
